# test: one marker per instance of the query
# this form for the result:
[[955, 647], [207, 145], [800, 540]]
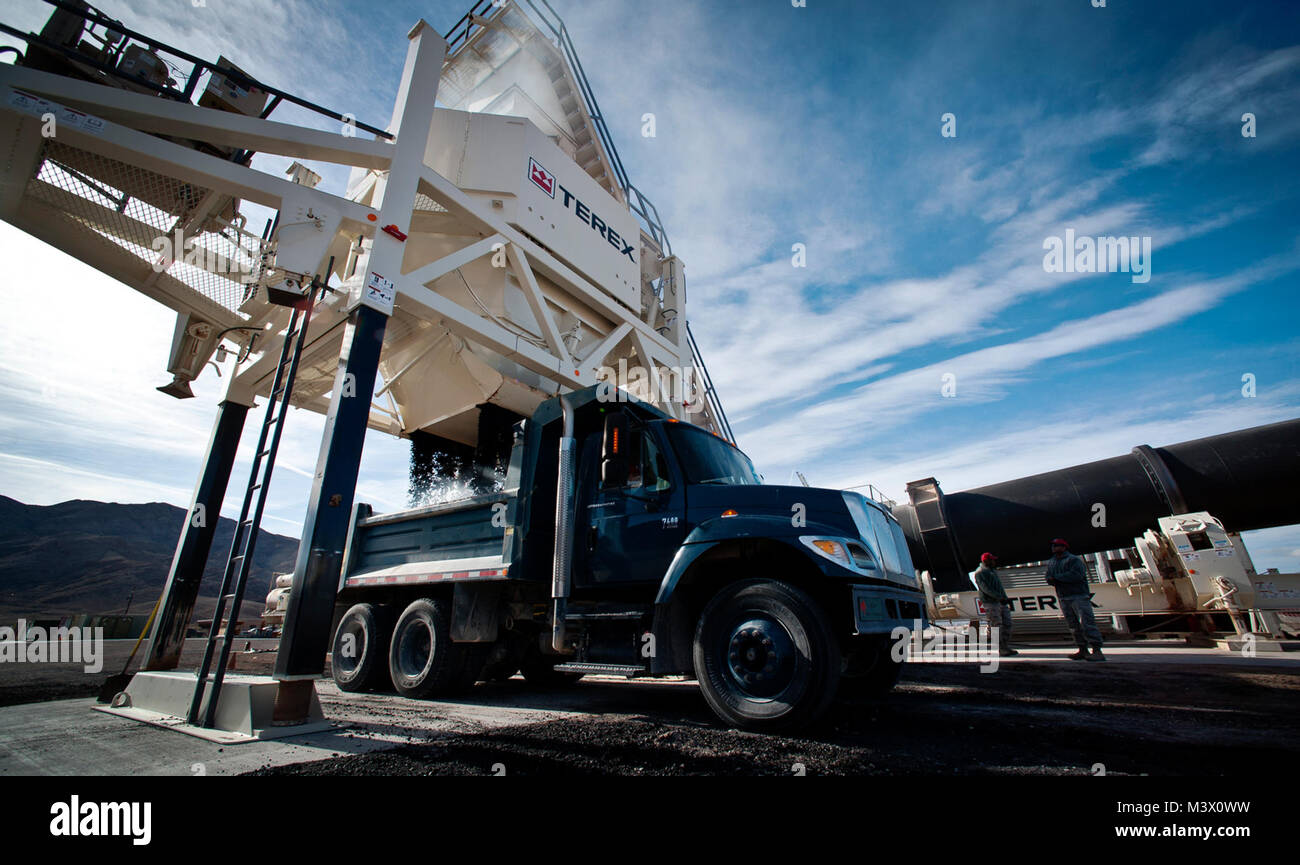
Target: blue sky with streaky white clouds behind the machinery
[[818, 126]]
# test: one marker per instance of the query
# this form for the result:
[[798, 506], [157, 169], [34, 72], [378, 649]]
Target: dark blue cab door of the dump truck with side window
[[631, 533]]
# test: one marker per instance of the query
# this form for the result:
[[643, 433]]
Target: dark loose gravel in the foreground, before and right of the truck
[[1030, 719]]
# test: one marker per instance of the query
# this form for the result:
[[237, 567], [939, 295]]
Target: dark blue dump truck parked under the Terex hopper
[[627, 543]]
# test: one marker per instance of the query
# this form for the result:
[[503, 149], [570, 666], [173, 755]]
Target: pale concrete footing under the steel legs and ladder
[[244, 713]]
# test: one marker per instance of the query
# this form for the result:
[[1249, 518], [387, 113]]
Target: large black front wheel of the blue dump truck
[[766, 656]]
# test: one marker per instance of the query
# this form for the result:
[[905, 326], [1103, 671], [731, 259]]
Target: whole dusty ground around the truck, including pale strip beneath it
[[1149, 711]]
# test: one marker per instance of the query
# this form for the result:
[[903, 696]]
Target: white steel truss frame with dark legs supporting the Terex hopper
[[127, 136]]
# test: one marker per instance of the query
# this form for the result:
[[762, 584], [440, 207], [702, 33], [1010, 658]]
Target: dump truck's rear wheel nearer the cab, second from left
[[423, 660]]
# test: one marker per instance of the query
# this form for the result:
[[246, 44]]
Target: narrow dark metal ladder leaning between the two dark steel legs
[[240, 561]]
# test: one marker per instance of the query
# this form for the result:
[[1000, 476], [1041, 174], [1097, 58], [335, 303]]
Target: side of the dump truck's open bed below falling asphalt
[[457, 540]]
